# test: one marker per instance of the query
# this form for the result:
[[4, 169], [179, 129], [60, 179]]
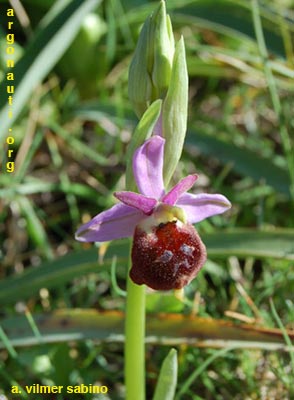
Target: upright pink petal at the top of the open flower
[[147, 167]]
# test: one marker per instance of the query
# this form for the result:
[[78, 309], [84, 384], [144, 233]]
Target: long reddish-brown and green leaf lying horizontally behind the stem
[[80, 324]]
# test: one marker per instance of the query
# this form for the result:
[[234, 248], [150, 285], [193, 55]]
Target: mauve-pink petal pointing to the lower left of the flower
[[116, 223]]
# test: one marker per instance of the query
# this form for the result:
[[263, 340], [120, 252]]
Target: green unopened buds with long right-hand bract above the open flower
[[159, 71]]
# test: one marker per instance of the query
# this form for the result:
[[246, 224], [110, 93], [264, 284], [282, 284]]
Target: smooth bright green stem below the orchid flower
[[135, 342]]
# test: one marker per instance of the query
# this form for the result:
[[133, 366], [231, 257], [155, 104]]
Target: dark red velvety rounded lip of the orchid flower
[[168, 257]]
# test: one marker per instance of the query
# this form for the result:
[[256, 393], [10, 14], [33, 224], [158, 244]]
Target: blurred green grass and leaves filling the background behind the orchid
[[72, 123]]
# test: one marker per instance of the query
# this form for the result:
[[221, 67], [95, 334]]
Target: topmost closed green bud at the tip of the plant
[[150, 69]]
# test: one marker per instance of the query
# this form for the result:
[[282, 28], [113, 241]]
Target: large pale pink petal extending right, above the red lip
[[201, 206]]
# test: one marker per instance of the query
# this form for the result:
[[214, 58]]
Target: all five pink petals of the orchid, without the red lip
[[120, 220]]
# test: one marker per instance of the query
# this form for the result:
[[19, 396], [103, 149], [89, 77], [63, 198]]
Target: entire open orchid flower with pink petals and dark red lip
[[167, 251]]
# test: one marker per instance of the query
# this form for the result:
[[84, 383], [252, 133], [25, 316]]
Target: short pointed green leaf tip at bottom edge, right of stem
[[167, 381]]
